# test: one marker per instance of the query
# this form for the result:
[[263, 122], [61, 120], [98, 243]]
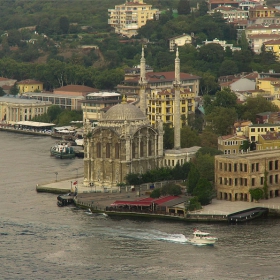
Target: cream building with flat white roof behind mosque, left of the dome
[[94, 103]]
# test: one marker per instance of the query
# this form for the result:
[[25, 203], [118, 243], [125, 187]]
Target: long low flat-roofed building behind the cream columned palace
[[69, 102]]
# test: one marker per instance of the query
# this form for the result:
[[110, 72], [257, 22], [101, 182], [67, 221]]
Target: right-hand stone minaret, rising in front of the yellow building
[[177, 114]]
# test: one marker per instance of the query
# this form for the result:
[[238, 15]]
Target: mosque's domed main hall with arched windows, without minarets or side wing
[[123, 142]]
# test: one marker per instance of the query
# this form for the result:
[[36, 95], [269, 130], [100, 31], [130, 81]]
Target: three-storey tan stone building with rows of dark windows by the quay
[[236, 175]]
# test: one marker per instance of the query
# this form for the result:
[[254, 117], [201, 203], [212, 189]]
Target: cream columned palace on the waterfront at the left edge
[[14, 109]]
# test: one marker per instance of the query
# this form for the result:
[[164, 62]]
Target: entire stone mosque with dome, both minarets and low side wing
[[125, 142]]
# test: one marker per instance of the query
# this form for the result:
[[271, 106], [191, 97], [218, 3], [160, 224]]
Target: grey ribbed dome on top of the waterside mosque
[[124, 111]]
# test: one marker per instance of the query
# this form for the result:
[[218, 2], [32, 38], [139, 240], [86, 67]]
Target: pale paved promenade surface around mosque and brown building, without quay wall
[[102, 199]]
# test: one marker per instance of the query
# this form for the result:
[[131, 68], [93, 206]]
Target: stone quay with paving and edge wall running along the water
[[97, 201]]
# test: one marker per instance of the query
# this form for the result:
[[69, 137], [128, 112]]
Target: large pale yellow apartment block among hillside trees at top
[[127, 18]]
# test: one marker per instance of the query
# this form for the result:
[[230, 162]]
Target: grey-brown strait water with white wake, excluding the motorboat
[[42, 241]]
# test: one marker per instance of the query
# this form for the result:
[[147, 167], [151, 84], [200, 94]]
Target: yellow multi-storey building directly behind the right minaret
[[161, 104]]
